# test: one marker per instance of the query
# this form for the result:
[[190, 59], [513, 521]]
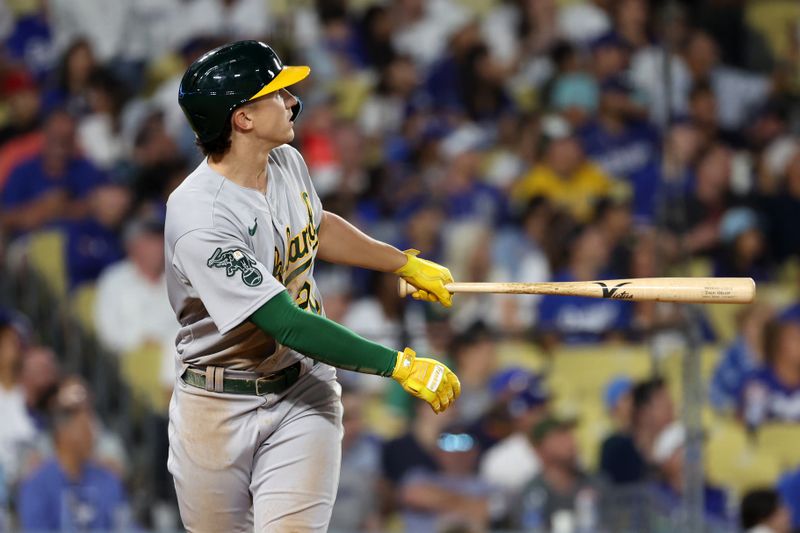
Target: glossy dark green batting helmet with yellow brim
[[229, 76]]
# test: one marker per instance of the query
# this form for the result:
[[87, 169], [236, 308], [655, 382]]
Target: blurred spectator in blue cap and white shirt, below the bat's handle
[[513, 461]]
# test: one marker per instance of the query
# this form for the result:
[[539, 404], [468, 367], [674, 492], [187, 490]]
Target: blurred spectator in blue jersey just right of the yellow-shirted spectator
[[624, 144]]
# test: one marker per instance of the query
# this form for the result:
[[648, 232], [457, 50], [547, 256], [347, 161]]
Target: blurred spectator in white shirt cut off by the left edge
[[17, 432]]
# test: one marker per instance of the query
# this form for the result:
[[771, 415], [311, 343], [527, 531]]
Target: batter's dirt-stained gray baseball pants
[[269, 463]]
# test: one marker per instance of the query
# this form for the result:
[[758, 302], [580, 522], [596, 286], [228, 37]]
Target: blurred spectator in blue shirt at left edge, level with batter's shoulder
[[52, 186]]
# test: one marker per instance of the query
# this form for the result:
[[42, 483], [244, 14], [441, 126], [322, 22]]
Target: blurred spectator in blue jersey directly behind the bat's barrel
[[578, 320]]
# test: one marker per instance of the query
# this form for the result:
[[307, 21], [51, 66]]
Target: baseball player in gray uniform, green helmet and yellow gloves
[[256, 418]]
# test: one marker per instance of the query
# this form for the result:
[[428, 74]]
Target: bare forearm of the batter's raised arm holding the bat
[[342, 243]]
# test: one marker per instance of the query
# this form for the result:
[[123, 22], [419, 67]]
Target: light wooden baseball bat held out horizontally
[[688, 290]]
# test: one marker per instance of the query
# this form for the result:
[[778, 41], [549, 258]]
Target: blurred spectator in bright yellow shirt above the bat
[[563, 175]]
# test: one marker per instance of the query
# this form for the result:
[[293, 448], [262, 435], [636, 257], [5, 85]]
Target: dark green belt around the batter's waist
[[214, 379]]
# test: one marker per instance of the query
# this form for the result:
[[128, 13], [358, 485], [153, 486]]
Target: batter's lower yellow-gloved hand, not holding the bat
[[427, 379]]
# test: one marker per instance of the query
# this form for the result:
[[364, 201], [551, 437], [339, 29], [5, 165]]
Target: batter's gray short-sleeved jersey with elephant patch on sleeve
[[229, 249]]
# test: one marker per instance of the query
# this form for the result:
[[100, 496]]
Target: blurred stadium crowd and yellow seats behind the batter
[[507, 139]]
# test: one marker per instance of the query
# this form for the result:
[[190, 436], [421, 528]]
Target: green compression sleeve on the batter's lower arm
[[323, 339]]
